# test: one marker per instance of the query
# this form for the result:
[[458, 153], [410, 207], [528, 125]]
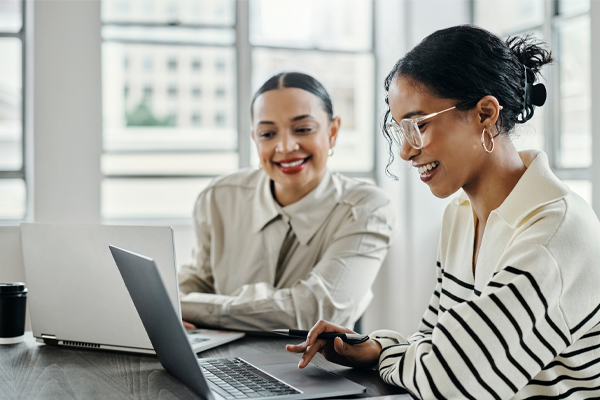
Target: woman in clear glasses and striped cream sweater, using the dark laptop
[[515, 311]]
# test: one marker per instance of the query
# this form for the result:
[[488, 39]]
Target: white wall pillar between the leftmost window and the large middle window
[[66, 111]]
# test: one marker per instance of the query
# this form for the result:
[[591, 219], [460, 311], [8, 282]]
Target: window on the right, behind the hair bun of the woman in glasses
[[562, 128]]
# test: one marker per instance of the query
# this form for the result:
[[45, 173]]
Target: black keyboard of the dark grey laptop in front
[[236, 379]]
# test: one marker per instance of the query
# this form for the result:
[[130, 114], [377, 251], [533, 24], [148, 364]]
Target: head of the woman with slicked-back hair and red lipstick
[[294, 131]]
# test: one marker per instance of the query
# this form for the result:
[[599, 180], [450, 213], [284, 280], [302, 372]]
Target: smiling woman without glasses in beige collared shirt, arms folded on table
[[292, 242]]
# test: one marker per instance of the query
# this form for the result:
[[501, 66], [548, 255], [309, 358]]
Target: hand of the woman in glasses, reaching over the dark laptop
[[359, 355]]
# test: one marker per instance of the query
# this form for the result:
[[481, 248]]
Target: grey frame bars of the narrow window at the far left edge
[[21, 173]]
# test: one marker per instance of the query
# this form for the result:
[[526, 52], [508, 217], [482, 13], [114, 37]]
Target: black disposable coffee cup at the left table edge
[[13, 299]]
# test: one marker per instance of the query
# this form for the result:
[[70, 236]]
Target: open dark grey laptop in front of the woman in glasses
[[250, 377]]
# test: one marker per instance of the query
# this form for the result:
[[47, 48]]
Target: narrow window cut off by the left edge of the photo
[[13, 195]]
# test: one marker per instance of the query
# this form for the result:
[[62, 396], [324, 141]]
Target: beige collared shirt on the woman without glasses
[[260, 266]]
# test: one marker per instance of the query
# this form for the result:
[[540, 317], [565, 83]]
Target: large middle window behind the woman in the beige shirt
[[189, 50]]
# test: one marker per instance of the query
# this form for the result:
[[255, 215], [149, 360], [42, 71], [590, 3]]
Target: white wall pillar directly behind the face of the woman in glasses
[[407, 279]]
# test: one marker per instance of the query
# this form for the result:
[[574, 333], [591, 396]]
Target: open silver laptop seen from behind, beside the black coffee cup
[[76, 295]]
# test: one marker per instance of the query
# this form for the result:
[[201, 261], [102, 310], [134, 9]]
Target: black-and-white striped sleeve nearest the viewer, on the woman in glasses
[[489, 347]]
